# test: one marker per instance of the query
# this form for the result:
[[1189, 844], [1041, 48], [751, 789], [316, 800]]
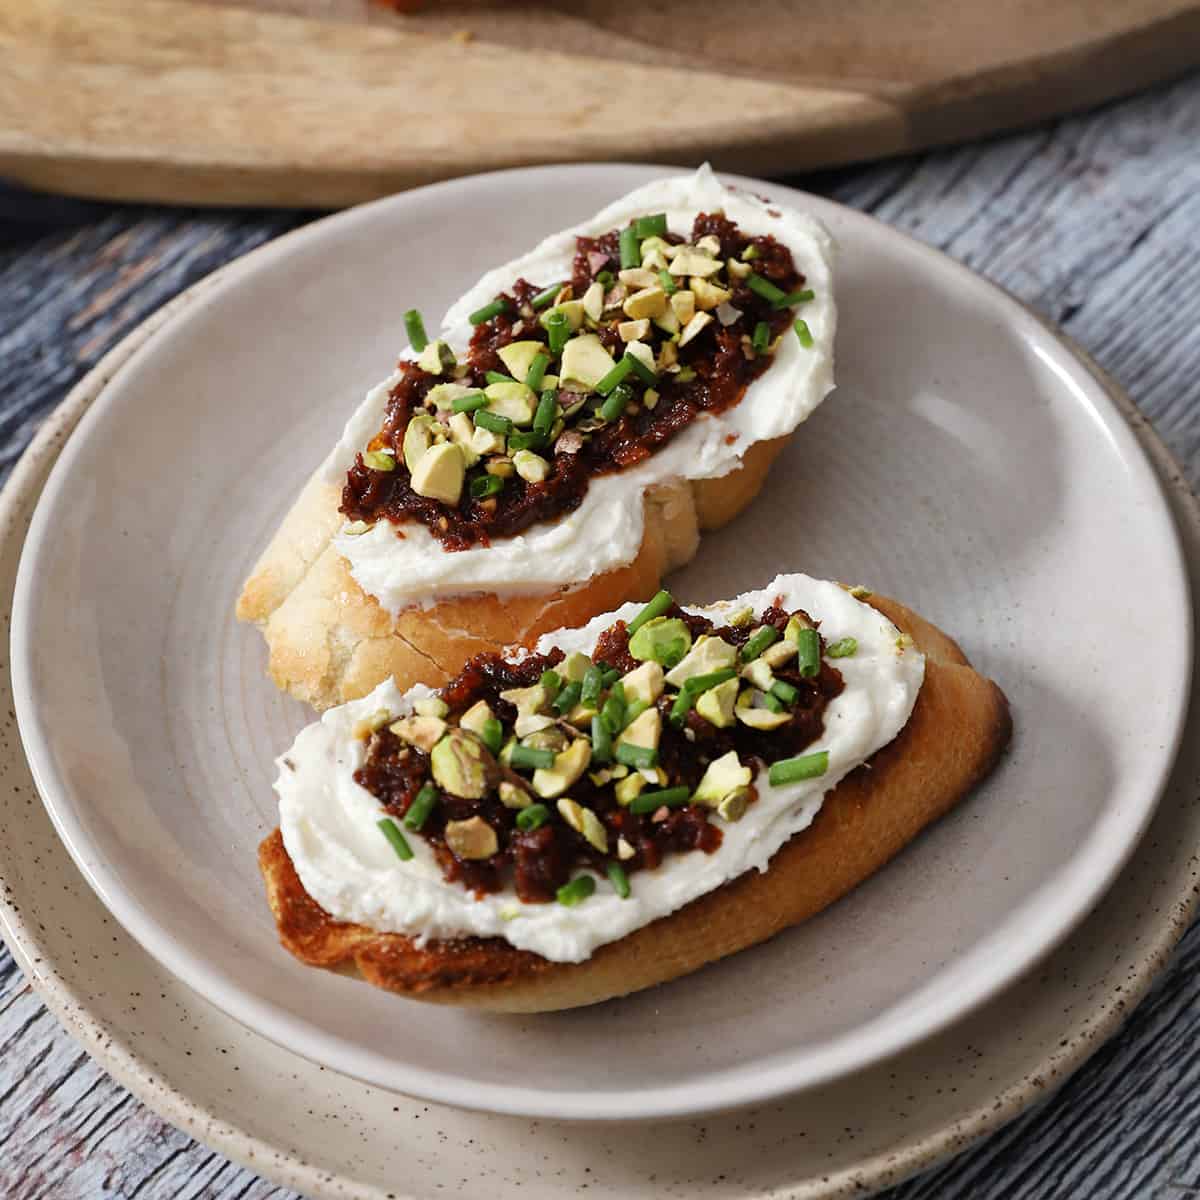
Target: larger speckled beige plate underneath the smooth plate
[[328, 1136]]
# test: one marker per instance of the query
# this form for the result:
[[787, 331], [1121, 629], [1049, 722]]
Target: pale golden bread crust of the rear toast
[[331, 643]]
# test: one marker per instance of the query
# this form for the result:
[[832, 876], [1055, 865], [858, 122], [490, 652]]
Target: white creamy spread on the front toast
[[331, 831]]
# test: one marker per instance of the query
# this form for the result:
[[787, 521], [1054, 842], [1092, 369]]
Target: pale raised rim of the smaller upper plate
[[861, 1049]]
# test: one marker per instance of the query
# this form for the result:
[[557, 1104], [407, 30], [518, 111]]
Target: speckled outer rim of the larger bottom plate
[[151, 1083]]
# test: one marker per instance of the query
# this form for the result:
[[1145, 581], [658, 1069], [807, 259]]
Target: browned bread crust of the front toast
[[957, 733]]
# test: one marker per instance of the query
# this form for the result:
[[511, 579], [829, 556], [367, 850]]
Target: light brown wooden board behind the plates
[[329, 103]]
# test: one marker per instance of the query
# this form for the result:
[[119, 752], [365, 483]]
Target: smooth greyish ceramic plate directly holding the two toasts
[[969, 464]]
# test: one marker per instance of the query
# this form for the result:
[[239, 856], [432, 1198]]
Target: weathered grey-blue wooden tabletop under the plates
[[1094, 221]]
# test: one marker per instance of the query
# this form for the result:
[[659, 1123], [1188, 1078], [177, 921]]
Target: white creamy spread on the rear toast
[[605, 532]]
